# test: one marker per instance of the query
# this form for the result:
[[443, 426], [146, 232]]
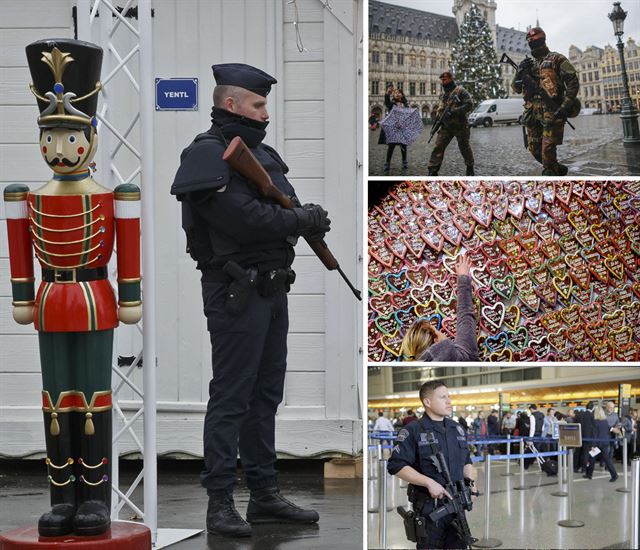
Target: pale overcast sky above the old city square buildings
[[566, 22]]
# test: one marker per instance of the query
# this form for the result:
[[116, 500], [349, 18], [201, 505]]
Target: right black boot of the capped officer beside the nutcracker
[[269, 506]]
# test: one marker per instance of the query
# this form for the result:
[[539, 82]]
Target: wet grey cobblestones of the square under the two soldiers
[[595, 148]]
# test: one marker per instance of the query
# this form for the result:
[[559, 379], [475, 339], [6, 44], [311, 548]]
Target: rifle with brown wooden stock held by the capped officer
[[243, 161]]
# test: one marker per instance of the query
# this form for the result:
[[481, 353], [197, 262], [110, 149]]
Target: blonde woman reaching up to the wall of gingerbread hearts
[[423, 342]]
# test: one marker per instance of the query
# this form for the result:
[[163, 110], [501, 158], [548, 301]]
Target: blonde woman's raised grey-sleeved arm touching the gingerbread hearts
[[466, 324]]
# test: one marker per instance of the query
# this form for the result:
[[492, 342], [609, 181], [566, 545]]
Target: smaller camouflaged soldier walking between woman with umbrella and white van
[[455, 102]]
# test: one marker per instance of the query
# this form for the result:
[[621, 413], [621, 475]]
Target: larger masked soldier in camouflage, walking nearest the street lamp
[[552, 73]]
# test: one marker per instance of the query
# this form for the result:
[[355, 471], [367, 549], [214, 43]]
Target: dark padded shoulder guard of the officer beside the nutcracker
[[201, 167]]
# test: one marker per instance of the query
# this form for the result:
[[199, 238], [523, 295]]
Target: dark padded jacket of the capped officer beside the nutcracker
[[242, 226]]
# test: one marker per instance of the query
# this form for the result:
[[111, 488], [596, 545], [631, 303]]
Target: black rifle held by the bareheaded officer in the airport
[[460, 492]]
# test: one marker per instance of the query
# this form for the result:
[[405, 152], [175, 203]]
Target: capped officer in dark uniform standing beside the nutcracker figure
[[243, 245]]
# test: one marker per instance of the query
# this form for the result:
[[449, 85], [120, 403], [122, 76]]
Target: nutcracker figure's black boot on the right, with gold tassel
[[93, 516]]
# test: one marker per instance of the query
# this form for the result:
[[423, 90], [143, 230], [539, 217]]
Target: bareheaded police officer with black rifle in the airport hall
[[432, 454]]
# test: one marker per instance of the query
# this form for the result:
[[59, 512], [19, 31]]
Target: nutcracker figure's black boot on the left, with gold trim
[[57, 522]]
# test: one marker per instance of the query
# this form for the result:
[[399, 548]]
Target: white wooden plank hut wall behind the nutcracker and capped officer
[[316, 125]]
